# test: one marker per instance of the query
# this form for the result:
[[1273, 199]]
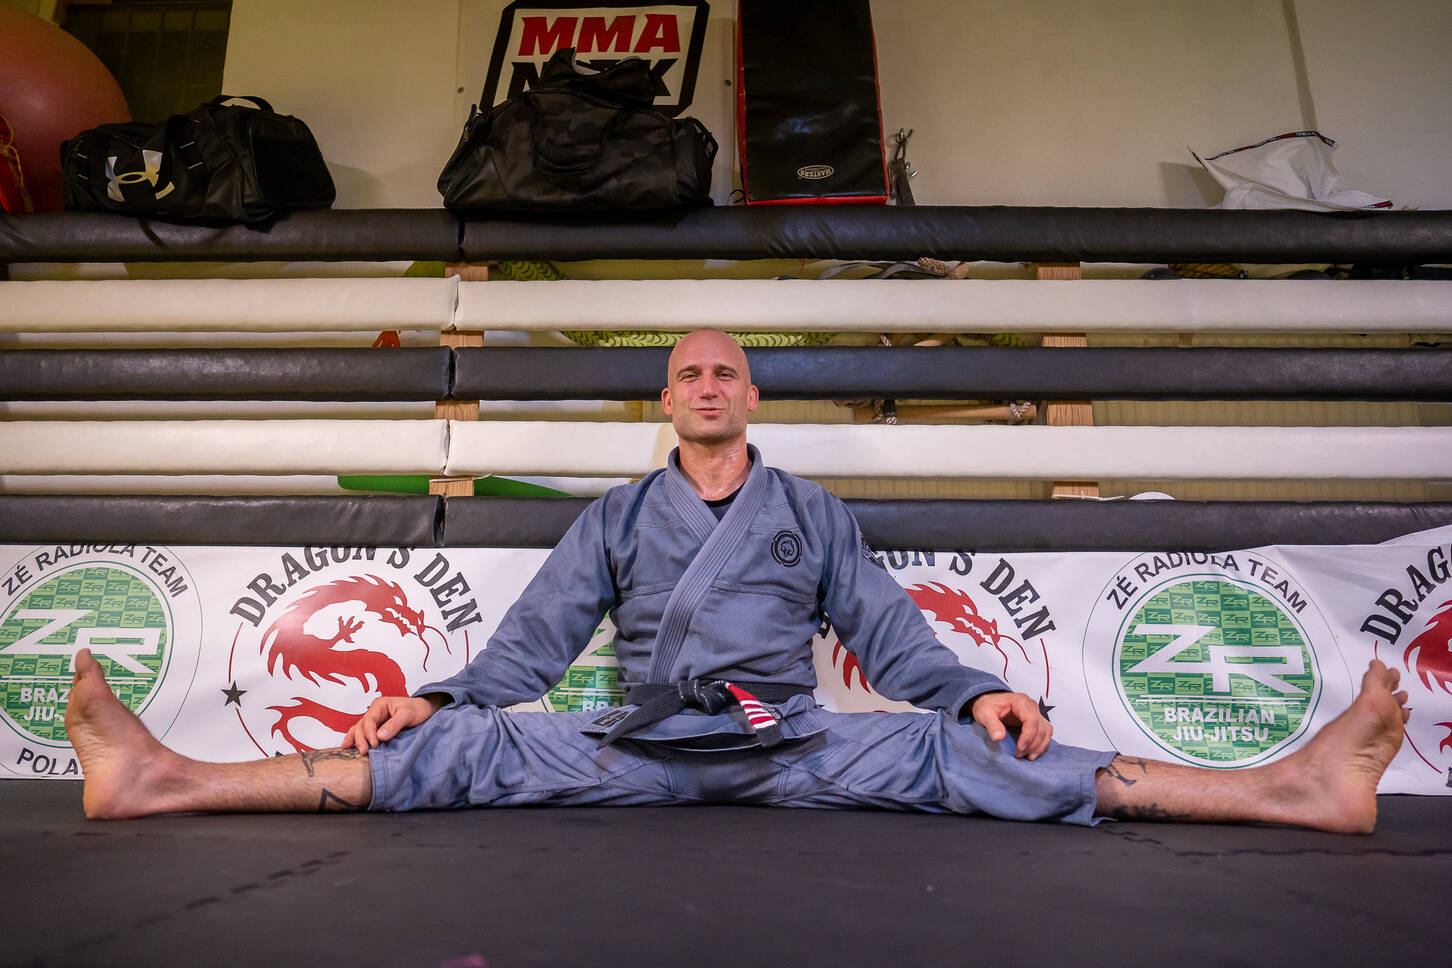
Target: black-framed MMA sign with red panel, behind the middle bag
[[667, 36]]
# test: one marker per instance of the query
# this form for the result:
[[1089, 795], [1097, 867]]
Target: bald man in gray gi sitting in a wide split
[[718, 571]]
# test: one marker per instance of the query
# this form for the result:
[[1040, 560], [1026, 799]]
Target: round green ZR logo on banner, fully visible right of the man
[[1216, 673]]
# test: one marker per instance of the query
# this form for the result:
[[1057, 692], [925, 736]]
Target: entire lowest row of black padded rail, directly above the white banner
[[933, 525]]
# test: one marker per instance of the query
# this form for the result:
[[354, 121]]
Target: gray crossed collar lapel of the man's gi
[[721, 542]]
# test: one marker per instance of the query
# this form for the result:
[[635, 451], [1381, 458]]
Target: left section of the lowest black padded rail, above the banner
[[374, 522]]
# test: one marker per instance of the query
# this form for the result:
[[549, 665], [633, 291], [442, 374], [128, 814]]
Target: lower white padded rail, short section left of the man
[[223, 448]]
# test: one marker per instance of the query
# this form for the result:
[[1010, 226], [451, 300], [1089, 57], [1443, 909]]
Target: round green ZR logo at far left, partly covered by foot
[[105, 609]]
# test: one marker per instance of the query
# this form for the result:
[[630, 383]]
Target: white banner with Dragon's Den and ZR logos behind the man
[[1219, 661]]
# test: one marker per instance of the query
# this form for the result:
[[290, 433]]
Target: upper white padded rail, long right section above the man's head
[[972, 305]]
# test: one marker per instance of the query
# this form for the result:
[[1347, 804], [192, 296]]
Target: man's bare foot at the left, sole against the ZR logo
[[126, 767]]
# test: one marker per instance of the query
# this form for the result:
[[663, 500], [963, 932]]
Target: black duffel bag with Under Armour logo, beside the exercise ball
[[220, 162]]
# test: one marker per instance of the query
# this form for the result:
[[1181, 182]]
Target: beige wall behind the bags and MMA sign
[[1014, 102]]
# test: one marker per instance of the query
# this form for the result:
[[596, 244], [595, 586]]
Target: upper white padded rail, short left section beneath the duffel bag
[[160, 305]]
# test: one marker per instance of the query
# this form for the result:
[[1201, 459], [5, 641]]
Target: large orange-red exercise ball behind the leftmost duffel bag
[[52, 89]]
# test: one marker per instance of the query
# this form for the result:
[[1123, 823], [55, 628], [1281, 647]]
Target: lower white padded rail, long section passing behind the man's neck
[[1039, 454]]
